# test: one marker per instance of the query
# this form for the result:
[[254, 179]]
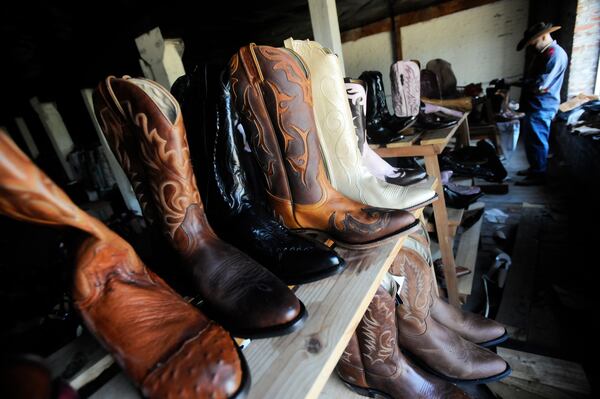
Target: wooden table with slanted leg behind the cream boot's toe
[[429, 145]]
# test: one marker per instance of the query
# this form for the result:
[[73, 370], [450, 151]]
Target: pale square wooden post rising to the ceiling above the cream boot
[[326, 29]]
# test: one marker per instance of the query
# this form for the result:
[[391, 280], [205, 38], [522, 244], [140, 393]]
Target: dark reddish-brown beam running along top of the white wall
[[413, 17]]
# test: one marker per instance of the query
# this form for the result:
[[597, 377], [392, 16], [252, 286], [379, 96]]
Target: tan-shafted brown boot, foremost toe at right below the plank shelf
[[432, 345]]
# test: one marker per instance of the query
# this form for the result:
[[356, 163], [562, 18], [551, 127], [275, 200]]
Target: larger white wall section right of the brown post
[[480, 43]]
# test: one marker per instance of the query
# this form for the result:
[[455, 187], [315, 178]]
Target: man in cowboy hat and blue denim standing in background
[[541, 97]]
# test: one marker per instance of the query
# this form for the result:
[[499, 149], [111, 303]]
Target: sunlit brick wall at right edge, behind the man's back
[[586, 48]]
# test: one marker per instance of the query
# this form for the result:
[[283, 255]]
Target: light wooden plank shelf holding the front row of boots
[[335, 306]]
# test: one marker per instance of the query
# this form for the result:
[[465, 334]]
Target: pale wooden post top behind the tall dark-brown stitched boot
[[160, 59]]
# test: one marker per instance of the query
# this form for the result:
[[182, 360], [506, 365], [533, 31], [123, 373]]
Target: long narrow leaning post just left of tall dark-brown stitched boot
[[121, 178]]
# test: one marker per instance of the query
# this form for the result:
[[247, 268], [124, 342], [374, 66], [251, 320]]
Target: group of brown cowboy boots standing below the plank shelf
[[435, 336]]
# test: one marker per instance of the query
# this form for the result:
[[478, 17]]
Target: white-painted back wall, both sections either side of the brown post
[[480, 43]]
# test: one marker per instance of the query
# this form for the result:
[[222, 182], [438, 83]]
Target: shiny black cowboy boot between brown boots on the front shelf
[[237, 202]]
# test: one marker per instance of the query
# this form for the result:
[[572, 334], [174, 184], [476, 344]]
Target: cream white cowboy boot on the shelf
[[338, 138]]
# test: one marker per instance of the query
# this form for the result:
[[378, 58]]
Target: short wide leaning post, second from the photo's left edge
[[57, 132]]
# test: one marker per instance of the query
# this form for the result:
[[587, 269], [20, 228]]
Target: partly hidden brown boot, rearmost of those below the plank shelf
[[471, 326]]
